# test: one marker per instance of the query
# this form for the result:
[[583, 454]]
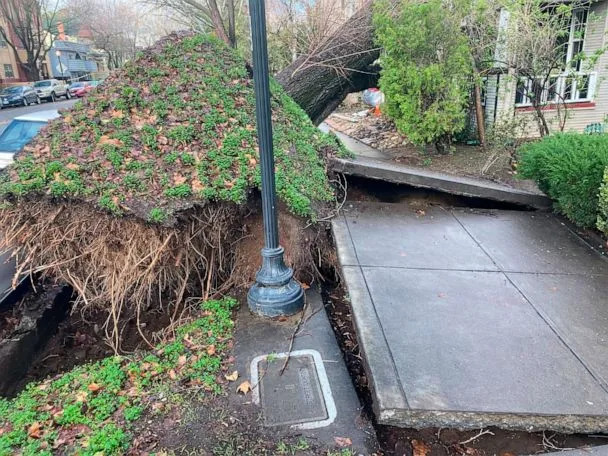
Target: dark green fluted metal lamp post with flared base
[[275, 292]]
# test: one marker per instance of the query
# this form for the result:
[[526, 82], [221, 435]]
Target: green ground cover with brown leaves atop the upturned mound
[[173, 128]]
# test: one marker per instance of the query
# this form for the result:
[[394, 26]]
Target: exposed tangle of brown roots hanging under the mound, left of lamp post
[[117, 262]]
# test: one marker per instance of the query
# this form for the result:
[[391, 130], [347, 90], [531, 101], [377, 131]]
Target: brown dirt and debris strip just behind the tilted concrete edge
[[493, 163]]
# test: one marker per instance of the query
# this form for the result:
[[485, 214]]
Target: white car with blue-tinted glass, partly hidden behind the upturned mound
[[20, 131]]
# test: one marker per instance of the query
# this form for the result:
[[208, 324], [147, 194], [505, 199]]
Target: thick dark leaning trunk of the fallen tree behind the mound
[[342, 64]]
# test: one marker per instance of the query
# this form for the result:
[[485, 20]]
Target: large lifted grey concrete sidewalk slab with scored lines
[[471, 318]]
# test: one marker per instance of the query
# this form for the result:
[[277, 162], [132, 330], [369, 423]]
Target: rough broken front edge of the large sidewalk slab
[[421, 419]]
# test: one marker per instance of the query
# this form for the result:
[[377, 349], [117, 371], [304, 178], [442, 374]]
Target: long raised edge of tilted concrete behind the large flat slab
[[469, 187]]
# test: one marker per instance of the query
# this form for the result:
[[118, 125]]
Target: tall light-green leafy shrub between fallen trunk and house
[[426, 68]]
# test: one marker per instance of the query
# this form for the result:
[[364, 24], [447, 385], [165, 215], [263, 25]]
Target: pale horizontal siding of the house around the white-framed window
[[578, 118]]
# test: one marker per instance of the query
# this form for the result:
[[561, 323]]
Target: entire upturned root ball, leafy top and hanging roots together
[[147, 191]]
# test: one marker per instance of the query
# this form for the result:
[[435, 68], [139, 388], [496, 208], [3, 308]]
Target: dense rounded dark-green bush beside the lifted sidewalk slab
[[569, 168]]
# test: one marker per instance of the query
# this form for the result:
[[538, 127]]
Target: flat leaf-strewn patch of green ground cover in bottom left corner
[[92, 409]]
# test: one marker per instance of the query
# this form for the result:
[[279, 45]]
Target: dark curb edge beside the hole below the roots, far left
[[36, 327]]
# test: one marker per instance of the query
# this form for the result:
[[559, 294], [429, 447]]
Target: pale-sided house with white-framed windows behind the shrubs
[[575, 95]]
